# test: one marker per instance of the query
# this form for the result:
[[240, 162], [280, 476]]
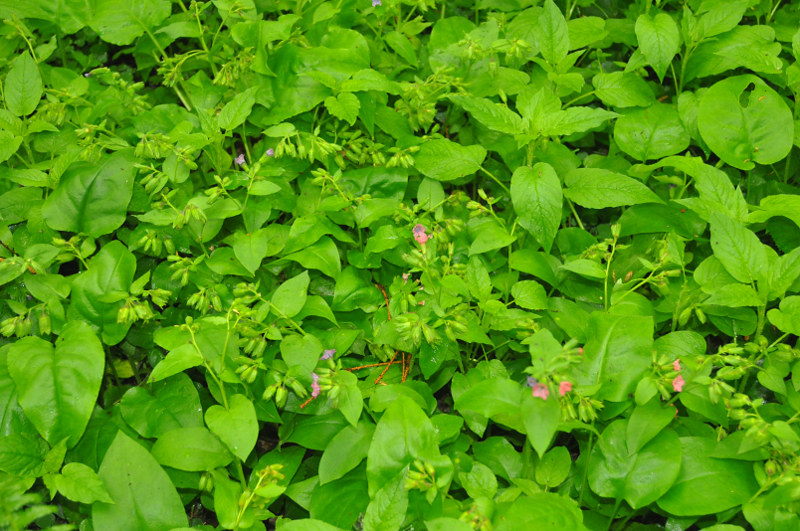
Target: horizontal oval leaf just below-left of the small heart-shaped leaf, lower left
[[191, 449]]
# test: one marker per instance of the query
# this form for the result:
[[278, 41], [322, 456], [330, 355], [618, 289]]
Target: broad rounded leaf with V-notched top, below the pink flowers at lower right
[[640, 477]]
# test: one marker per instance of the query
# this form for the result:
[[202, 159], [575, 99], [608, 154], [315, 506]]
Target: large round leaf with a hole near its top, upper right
[[744, 121]]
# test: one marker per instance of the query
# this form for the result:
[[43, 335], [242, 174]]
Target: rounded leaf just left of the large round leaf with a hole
[[651, 133]]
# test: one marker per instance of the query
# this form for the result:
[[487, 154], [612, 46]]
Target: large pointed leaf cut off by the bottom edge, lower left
[[143, 494]]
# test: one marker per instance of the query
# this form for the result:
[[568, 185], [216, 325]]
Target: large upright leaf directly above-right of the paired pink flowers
[[616, 354]]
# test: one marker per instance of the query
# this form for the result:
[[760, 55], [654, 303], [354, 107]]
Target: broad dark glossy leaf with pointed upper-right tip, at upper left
[[92, 198]]
